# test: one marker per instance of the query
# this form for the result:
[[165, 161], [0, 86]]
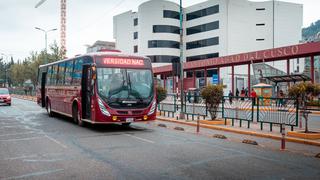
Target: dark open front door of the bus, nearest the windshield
[[86, 91]]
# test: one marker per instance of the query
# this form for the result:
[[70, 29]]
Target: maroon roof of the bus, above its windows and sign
[[93, 54]]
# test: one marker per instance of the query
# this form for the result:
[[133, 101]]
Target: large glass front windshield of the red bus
[[121, 87]]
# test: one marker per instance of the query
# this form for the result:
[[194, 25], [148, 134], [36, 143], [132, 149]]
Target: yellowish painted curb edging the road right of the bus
[[290, 139]]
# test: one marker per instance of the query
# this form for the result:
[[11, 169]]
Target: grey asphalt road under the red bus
[[34, 146]]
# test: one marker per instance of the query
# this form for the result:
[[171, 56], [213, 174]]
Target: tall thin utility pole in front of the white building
[[181, 62]]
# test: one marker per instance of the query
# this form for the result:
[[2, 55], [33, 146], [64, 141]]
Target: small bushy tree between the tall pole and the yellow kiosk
[[212, 94]]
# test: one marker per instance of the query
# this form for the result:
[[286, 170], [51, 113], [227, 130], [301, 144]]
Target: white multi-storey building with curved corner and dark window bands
[[210, 29]]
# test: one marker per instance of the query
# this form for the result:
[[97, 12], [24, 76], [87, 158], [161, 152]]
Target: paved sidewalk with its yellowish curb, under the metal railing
[[254, 129]]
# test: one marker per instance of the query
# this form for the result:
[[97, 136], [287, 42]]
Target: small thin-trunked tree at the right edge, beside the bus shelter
[[304, 92]]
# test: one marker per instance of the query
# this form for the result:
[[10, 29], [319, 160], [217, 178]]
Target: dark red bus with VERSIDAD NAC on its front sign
[[99, 88]]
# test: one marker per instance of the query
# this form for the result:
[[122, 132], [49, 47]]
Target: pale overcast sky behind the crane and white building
[[87, 22]]
